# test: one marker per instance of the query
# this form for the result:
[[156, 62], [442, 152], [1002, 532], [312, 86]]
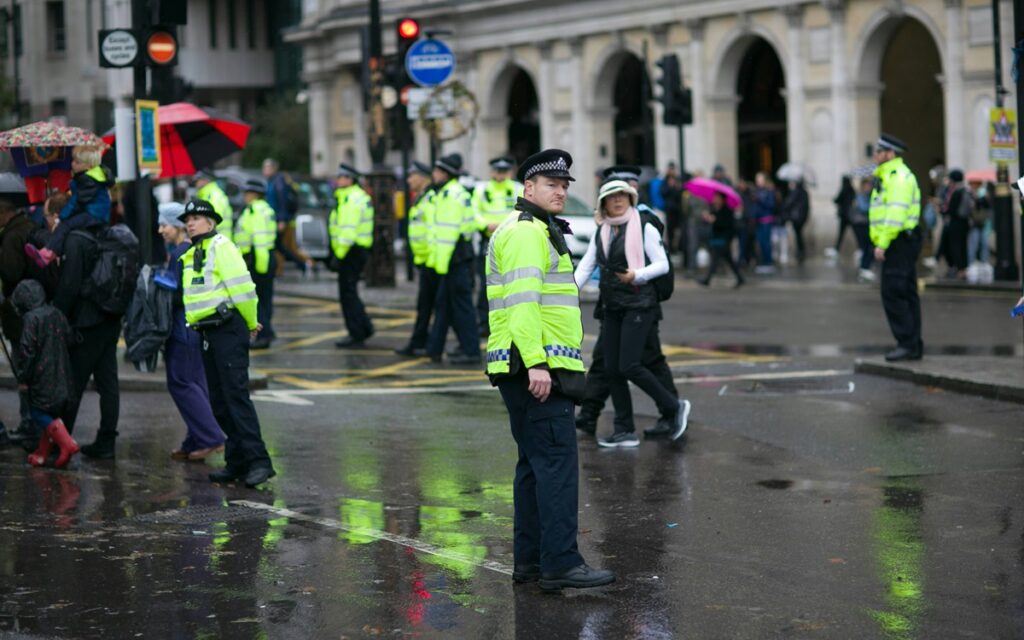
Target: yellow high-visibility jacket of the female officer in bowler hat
[[223, 278]]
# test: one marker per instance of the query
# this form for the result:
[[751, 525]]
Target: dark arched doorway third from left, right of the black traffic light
[[761, 114]]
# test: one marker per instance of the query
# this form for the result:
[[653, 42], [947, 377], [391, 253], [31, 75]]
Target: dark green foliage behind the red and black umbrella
[[281, 131]]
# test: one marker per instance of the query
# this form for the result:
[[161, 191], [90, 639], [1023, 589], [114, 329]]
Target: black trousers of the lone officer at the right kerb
[[900, 290]]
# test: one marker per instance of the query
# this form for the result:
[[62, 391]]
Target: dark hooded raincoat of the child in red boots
[[42, 362]]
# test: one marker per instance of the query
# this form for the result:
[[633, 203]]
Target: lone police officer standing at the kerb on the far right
[[894, 215]]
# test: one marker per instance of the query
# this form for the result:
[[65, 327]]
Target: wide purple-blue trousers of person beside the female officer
[[187, 383]]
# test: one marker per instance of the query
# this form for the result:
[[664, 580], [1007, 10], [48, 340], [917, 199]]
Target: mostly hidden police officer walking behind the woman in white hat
[[599, 386]]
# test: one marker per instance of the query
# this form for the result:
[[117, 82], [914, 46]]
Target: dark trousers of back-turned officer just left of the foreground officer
[[455, 309]]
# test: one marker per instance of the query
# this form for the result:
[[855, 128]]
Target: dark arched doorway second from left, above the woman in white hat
[[634, 124]]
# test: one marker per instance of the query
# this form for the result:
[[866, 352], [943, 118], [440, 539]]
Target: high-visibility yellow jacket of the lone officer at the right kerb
[[895, 203]]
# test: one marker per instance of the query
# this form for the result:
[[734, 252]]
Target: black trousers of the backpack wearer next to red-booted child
[[95, 355]]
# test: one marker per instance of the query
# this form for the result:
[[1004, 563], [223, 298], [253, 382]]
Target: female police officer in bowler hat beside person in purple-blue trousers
[[221, 303]]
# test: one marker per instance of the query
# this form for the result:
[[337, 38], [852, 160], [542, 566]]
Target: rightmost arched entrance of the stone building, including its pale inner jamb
[[910, 103]]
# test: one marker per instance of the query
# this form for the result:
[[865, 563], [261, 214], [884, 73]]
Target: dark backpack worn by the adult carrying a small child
[[111, 284]]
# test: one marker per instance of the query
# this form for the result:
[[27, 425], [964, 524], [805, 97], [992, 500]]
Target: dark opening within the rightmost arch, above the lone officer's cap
[[912, 101]]
